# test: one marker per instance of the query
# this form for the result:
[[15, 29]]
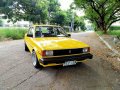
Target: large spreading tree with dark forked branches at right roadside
[[103, 13]]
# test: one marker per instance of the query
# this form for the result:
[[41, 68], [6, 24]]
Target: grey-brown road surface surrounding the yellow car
[[18, 73]]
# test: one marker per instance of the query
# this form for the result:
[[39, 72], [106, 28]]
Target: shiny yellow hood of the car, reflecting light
[[57, 43]]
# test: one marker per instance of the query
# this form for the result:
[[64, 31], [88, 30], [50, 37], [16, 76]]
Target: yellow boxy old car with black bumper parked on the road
[[51, 46]]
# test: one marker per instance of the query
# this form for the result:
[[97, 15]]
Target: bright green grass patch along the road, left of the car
[[12, 33]]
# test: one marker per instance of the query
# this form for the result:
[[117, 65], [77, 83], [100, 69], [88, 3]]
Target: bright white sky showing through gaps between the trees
[[65, 4]]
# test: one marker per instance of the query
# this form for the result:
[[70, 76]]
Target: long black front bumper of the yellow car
[[63, 59]]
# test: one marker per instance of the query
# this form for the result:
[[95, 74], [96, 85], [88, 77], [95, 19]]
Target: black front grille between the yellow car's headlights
[[67, 52]]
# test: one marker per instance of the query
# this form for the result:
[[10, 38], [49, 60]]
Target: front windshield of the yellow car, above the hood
[[48, 31]]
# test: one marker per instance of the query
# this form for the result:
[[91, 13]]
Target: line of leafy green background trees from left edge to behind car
[[39, 11]]
